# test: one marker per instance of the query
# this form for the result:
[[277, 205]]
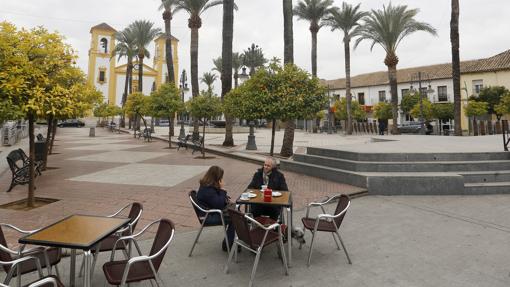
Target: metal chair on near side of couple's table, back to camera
[[254, 239]]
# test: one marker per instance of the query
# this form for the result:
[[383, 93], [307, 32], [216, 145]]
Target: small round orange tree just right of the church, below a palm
[[165, 102]]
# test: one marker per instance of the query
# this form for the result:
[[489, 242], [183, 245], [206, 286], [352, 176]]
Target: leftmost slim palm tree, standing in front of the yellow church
[[125, 47]]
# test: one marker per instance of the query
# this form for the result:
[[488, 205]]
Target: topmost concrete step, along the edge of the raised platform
[[403, 156]]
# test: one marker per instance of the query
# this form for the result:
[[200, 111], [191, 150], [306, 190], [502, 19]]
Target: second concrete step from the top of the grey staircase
[[405, 166]]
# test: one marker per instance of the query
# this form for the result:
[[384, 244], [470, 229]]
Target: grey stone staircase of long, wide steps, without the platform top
[[408, 173]]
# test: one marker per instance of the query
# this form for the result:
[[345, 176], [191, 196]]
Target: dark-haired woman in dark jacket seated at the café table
[[212, 195]]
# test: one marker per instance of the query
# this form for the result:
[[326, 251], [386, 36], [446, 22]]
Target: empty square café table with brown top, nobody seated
[[83, 232]]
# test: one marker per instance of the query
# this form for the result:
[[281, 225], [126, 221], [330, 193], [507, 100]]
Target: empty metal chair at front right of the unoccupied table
[[143, 267]]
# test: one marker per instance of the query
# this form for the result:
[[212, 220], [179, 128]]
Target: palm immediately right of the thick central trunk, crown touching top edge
[[314, 11]]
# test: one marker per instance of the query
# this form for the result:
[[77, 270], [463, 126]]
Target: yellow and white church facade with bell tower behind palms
[[110, 78]]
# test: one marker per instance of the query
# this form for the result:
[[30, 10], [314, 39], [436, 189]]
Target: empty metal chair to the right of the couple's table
[[326, 222]]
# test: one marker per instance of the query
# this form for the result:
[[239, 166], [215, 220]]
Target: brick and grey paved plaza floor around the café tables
[[392, 240]]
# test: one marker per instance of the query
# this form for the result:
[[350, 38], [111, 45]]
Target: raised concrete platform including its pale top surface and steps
[[406, 165]]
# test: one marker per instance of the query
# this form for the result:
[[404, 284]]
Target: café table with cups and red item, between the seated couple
[[285, 201]]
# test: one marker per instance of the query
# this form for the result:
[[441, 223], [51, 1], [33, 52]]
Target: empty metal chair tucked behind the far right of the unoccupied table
[[107, 244]]
